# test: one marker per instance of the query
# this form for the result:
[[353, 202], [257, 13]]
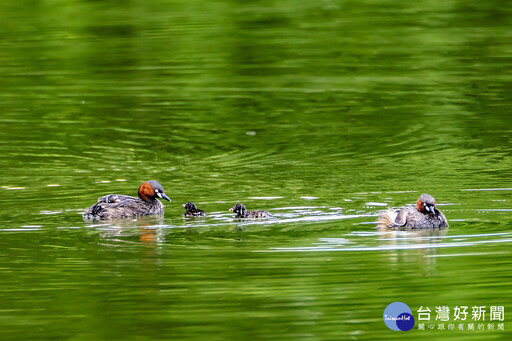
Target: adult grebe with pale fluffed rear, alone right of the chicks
[[424, 216]]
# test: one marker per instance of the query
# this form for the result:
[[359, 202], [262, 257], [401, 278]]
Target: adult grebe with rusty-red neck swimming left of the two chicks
[[116, 206]]
